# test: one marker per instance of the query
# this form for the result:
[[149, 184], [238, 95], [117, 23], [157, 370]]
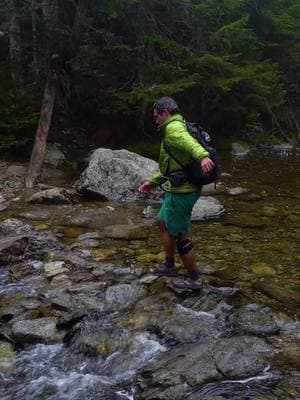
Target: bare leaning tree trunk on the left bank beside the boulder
[[39, 147]]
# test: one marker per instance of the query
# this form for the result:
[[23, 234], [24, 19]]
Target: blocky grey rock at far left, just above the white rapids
[[40, 330]]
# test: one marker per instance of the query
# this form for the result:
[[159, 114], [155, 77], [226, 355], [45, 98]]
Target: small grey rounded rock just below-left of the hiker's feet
[[119, 297]]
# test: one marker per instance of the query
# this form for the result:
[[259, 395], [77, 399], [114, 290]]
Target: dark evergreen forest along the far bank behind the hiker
[[233, 65]]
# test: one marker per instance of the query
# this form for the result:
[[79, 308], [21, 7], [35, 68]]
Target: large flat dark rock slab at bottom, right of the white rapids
[[176, 373]]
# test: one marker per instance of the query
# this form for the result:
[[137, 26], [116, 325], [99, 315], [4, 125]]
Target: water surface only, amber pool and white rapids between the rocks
[[254, 246]]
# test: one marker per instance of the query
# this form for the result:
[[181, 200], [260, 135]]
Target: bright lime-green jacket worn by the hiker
[[184, 147]]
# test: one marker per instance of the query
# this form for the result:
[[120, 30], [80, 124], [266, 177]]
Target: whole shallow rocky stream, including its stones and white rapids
[[103, 328]]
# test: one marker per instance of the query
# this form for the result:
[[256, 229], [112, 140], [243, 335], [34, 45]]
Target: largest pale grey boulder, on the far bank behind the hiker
[[116, 174]]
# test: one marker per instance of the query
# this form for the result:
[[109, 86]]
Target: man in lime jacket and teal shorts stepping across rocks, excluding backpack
[[174, 217]]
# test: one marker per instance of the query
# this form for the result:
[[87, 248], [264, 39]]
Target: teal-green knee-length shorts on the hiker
[[176, 212]]
